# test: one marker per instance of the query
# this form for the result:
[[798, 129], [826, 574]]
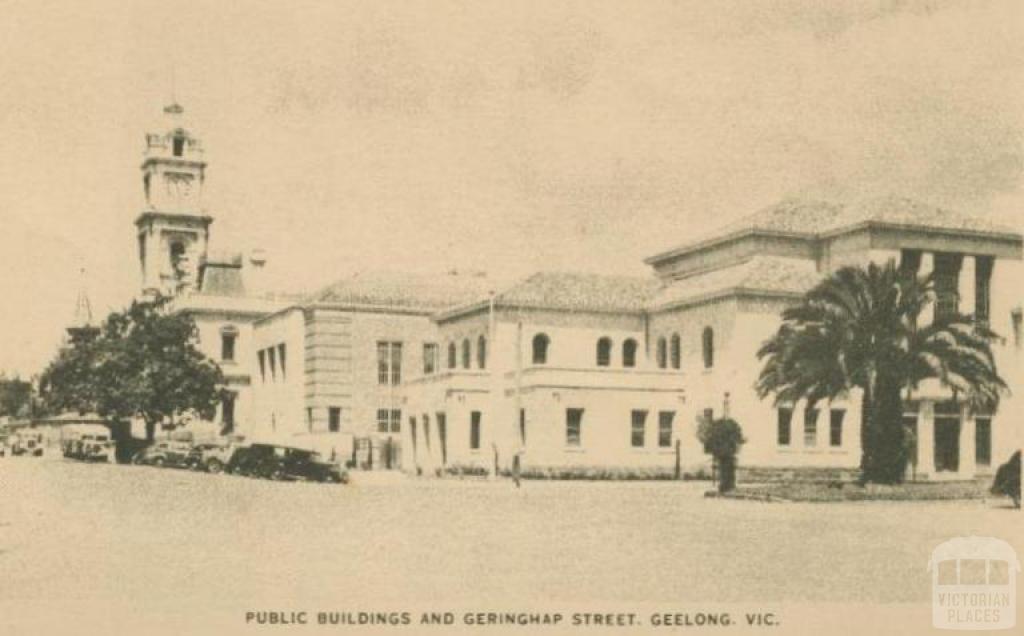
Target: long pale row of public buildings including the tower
[[430, 372]]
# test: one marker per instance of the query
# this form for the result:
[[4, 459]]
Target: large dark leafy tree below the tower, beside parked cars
[[144, 364]]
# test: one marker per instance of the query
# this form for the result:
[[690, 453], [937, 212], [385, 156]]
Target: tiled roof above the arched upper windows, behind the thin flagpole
[[580, 292]]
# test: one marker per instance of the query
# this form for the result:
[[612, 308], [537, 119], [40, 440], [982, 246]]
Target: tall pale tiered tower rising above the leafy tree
[[174, 229]]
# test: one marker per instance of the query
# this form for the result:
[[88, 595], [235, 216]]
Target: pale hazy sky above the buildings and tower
[[488, 137]]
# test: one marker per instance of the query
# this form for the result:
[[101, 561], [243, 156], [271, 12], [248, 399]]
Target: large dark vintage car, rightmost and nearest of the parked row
[[275, 461]]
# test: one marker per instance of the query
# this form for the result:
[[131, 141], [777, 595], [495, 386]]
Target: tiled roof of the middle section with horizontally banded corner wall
[[406, 290]]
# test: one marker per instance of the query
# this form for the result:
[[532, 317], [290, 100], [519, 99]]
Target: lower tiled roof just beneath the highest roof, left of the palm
[[763, 274]]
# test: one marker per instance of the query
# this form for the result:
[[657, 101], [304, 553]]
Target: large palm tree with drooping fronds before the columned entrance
[[861, 328]]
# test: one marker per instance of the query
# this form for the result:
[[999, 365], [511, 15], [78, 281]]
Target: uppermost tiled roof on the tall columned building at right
[[814, 219]]
